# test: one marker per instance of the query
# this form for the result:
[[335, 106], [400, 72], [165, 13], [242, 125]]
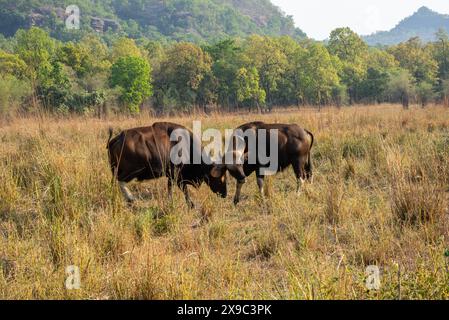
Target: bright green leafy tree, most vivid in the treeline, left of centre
[[133, 76]]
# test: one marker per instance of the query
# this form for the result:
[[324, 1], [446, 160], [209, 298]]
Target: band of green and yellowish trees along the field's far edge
[[255, 72]]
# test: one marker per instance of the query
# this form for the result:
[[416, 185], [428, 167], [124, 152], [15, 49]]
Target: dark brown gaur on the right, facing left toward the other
[[294, 149]]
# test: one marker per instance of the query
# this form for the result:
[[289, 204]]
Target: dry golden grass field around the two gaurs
[[380, 197]]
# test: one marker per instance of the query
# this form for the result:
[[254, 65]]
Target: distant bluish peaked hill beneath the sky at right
[[425, 23]]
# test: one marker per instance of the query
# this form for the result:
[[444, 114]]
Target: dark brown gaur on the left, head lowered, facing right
[[144, 154]]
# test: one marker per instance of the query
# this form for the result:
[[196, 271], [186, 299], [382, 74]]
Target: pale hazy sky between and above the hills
[[319, 17]]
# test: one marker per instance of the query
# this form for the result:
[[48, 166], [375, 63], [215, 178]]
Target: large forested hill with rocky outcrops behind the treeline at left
[[193, 20]]
